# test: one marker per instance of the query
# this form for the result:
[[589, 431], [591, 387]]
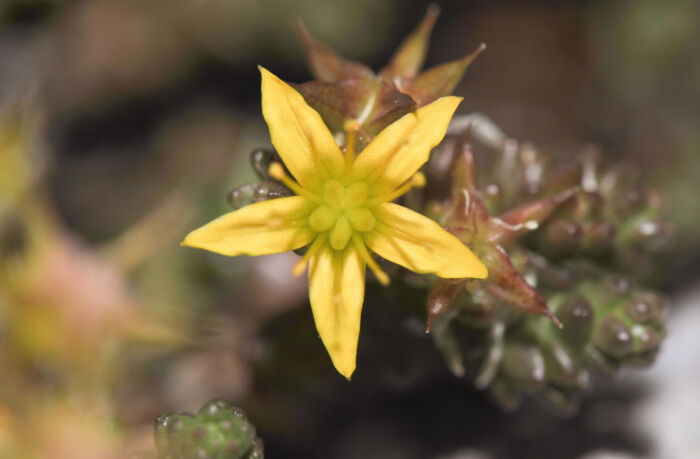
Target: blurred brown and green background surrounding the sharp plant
[[125, 123]]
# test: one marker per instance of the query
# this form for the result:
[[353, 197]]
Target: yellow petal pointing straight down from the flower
[[337, 290]]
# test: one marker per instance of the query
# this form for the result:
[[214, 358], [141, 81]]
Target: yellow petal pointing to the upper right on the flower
[[404, 146]]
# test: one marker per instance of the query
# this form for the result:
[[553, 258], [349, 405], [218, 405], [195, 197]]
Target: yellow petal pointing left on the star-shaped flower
[[262, 228]]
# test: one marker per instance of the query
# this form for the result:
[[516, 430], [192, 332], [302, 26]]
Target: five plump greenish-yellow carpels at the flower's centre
[[343, 211]]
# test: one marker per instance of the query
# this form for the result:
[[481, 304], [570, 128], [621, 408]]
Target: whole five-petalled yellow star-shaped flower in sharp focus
[[341, 209]]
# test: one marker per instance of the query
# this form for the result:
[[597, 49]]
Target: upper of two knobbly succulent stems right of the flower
[[612, 218]]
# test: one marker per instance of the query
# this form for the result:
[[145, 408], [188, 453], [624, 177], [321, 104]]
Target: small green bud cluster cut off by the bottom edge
[[218, 430]]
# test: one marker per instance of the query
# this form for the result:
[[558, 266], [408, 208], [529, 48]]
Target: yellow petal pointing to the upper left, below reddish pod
[[298, 133]]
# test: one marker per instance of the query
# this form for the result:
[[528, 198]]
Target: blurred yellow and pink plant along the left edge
[[68, 318]]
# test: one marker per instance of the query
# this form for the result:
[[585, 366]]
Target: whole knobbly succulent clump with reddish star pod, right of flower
[[561, 240]]
